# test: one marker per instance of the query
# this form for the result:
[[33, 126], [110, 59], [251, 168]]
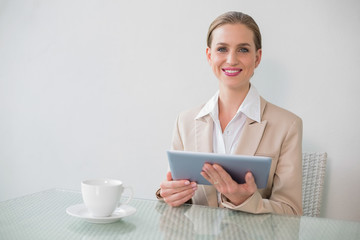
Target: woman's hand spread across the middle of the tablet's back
[[222, 181]]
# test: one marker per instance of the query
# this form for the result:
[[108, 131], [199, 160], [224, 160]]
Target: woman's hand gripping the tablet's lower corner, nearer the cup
[[176, 193]]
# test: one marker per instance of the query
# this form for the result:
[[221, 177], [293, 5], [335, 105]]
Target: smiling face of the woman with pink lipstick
[[233, 56]]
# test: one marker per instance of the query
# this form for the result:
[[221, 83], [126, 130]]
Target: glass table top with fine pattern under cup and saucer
[[43, 216]]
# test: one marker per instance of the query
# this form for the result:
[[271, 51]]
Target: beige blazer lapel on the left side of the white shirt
[[204, 134]]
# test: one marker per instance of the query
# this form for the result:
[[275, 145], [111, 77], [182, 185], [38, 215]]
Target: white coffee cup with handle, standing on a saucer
[[102, 196]]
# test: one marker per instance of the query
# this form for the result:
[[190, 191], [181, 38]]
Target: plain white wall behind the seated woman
[[91, 88]]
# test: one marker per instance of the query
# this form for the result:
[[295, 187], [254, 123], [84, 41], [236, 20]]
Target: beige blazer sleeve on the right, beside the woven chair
[[286, 193]]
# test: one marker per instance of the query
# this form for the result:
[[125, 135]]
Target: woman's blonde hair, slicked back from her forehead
[[233, 18]]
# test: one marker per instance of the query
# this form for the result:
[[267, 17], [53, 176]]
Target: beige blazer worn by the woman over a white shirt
[[278, 135]]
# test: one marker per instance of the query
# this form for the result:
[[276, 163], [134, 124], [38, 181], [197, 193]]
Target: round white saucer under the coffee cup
[[80, 211]]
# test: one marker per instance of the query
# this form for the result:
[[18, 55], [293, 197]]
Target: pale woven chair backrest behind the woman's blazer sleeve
[[314, 167]]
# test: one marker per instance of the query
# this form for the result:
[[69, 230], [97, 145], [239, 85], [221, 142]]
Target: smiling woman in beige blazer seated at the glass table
[[237, 120]]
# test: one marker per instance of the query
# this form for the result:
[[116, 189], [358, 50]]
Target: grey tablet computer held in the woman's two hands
[[188, 165]]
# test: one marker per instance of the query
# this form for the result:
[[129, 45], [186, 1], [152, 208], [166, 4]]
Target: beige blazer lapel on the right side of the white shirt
[[251, 134]]
